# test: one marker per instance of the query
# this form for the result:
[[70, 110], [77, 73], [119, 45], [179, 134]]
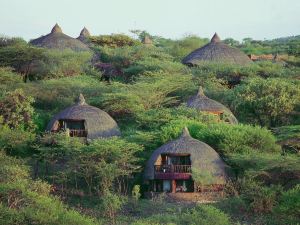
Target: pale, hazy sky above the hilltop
[[258, 19]]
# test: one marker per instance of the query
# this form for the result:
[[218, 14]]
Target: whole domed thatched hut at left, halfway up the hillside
[[83, 120]]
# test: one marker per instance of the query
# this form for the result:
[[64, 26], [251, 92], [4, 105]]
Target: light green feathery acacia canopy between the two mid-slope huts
[[152, 91]]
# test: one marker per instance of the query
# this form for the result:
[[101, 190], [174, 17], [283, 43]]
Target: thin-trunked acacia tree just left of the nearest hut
[[107, 164]]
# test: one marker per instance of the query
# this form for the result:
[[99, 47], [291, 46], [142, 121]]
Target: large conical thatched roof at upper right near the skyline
[[216, 51]]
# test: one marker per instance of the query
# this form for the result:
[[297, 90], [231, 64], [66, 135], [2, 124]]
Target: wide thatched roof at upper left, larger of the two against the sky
[[58, 40]]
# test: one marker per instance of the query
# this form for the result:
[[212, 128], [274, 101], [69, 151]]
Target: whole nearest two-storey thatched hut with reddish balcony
[[177, 166]]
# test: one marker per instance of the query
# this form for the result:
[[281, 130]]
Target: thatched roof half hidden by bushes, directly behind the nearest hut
[[202, 103]]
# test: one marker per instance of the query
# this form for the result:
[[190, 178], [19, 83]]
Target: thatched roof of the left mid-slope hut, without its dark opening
[[97, 122]]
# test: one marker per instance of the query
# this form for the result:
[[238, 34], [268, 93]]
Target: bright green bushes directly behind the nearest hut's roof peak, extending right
[[225, 138]]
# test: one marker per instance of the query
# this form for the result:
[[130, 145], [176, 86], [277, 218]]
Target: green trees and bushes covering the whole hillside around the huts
[[51, 178]]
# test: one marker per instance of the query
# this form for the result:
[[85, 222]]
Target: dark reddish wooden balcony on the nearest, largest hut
[[169, 172]]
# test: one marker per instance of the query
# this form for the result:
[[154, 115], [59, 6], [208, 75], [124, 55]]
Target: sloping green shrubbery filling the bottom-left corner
[[24, 201]]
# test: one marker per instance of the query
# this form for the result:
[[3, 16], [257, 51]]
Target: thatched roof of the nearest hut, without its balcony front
[[203, 157]]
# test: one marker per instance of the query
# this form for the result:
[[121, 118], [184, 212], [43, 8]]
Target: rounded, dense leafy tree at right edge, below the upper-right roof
[[266, 101]]
